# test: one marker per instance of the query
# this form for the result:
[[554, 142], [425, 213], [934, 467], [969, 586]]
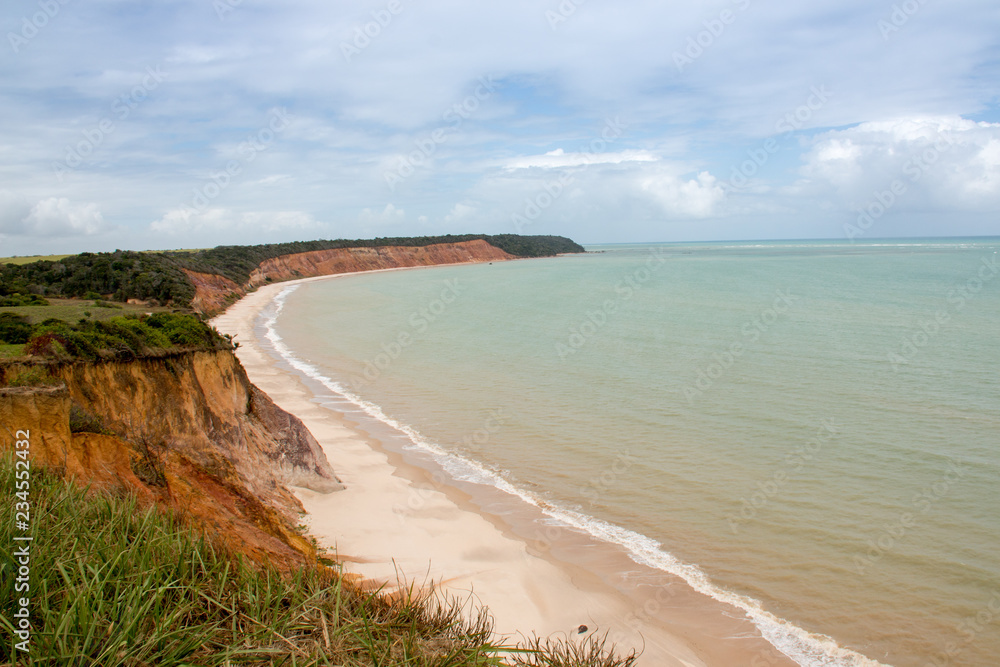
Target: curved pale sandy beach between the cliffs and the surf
[[397, 521]]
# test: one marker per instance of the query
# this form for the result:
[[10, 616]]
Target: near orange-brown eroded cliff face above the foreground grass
[[186, 430]]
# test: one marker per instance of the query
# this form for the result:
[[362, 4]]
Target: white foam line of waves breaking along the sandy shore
[[806, 648]]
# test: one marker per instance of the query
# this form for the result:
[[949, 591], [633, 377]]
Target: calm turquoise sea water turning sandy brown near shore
[[812, 425]]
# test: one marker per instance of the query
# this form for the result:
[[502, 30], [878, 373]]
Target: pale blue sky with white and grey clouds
[[193, 123]]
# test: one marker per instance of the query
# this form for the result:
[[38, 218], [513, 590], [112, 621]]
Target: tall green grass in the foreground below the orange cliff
[[113, 584]]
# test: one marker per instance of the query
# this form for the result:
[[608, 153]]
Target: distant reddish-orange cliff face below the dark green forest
[[213, 293]]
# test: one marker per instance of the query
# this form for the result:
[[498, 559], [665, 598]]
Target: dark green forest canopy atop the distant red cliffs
[[123, 275]]
